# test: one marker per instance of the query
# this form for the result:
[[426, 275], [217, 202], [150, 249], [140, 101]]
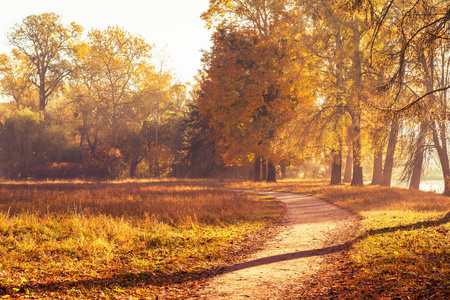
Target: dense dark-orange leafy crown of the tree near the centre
[[247, 93]]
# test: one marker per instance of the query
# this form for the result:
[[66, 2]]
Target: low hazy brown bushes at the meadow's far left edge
[[28, 148]]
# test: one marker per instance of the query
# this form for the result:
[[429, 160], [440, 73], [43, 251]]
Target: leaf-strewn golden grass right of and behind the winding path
[[401, 251]]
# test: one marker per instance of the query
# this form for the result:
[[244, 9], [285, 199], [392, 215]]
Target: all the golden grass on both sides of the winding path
[[149, 239]]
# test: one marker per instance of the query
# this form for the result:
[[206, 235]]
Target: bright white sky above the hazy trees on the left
[[174, 24]]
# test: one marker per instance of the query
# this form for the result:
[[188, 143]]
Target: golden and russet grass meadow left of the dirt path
[[126, 240]]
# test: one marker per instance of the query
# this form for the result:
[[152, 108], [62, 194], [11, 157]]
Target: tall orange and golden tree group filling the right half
[[360, 82]]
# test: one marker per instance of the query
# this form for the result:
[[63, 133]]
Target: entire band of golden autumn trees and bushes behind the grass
[[332, 88]]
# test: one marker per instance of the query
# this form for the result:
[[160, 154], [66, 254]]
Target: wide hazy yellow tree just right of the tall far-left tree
[[121, 99]]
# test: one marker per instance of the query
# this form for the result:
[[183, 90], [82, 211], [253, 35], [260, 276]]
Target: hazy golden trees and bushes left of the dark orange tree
[[97, 105]]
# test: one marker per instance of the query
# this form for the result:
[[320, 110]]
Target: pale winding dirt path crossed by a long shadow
[[296, 252]]
